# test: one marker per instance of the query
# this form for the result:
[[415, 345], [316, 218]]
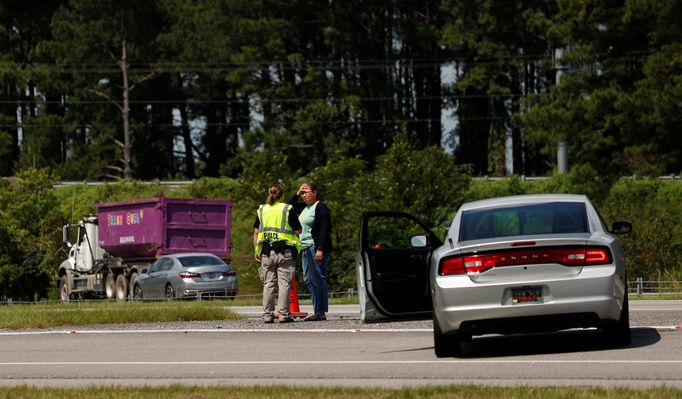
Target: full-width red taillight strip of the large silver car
[[479, 263]]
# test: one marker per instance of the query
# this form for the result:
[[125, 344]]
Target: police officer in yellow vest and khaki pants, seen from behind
[[275, 237]]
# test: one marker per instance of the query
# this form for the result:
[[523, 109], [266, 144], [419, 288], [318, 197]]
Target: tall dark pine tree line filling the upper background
[[176, 89]]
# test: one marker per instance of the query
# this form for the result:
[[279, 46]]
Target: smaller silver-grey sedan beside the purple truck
[[187, 275]]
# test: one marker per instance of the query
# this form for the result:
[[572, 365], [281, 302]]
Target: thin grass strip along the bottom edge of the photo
[[460, 391]]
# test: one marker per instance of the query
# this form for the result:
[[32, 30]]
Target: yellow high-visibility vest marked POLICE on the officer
[[274, 226]]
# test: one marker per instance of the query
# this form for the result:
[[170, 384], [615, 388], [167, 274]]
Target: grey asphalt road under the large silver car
[[340, 352]]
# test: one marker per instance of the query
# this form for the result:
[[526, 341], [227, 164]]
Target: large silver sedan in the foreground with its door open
[[533, 263]]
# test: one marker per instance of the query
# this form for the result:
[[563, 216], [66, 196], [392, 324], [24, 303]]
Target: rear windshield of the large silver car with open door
[[520, 220]]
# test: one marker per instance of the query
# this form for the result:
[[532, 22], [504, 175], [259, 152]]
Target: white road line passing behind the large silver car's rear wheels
[[261, 330]]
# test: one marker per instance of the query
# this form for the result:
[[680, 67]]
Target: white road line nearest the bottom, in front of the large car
[[349, 362]]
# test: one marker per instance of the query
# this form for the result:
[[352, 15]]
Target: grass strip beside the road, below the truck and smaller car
[[82, 313]]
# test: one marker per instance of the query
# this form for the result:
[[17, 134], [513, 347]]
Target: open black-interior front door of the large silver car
[[393, 266]]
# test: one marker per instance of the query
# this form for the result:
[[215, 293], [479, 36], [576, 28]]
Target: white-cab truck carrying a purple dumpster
[[113, 246]]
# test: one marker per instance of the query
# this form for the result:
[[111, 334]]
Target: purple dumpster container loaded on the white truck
[[141, 230]]
